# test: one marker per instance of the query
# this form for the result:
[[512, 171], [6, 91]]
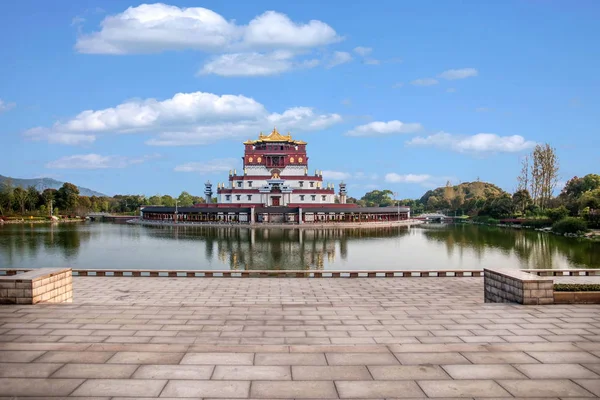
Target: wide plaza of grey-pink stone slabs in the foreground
[[205, 338]]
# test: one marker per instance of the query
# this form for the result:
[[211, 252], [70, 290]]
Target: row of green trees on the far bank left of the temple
[[68, 201]]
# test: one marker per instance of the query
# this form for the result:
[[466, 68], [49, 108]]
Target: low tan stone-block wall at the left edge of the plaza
[[43, 285]]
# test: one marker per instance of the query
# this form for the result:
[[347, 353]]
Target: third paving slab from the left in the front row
[[204, 389]]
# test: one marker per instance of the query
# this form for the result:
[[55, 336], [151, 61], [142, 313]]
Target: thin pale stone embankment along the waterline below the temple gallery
[[409, 222]]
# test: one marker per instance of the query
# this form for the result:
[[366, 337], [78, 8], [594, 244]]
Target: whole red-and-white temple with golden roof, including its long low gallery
[[275, 187]]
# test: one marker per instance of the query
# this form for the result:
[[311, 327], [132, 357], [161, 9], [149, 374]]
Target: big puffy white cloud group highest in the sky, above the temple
[[271, 43]]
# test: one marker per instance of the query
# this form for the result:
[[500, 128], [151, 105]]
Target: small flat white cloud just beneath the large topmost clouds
[[250, 64]]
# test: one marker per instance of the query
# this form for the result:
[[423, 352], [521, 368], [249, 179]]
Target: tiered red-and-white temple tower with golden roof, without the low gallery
[[276, 174]]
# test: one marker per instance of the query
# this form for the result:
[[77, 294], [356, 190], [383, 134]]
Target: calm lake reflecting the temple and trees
[[104, 245]]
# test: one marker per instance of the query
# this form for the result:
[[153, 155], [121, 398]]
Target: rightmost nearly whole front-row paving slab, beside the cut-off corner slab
[[544, 388]]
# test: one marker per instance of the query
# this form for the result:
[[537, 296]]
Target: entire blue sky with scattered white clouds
[[125, 97]]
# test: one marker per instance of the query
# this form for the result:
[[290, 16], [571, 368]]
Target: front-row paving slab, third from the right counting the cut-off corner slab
[[463, 388]]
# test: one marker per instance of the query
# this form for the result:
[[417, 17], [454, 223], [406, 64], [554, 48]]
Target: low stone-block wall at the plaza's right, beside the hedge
[[514, 286]]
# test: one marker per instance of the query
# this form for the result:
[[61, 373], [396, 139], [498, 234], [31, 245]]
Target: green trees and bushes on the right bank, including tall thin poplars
[[577, 205]]
